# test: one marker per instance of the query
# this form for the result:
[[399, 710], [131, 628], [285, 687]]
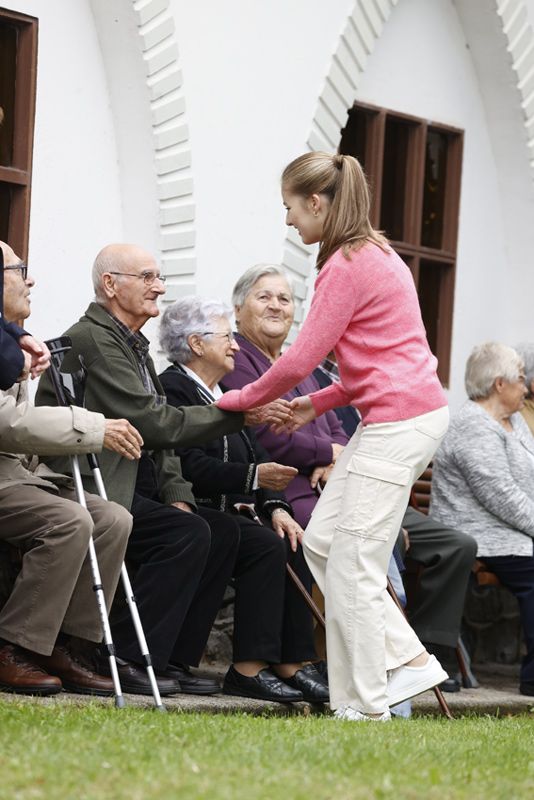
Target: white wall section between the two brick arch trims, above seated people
[[252, 73]]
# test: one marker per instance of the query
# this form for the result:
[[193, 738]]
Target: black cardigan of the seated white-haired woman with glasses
[[221, 471]]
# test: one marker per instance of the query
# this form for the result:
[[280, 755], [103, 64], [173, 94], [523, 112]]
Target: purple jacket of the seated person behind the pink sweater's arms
[[307, 448]]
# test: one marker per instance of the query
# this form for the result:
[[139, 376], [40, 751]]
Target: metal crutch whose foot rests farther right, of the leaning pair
[[58, 347]]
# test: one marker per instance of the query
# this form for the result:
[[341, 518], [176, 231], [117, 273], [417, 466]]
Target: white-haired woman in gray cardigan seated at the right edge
[[483, 479]]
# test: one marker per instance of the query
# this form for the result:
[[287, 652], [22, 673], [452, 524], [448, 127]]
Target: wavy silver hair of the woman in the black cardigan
[[189, 314]]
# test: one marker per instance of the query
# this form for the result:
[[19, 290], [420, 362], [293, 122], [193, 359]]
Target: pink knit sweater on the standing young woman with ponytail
[[366, 309]]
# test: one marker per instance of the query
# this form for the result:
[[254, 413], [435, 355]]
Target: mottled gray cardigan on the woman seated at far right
[[483, 482]]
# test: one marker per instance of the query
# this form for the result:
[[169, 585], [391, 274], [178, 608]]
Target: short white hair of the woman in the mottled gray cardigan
[[488, 362]]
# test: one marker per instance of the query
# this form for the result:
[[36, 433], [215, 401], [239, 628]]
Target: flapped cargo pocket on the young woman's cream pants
[[373, 491]]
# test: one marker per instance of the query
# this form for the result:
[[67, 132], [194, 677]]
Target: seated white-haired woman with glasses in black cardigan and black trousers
[[273, 632]]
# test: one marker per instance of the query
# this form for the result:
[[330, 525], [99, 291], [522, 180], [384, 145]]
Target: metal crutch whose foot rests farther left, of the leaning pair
[[57, 356]]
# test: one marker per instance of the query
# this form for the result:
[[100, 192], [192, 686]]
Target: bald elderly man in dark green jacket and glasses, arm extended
[[183, 557]]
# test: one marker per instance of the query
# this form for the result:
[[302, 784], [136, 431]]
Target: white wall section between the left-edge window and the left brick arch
[[76, 203]]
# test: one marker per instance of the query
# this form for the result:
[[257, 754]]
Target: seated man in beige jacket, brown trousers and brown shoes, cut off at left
[[52, 600]]
